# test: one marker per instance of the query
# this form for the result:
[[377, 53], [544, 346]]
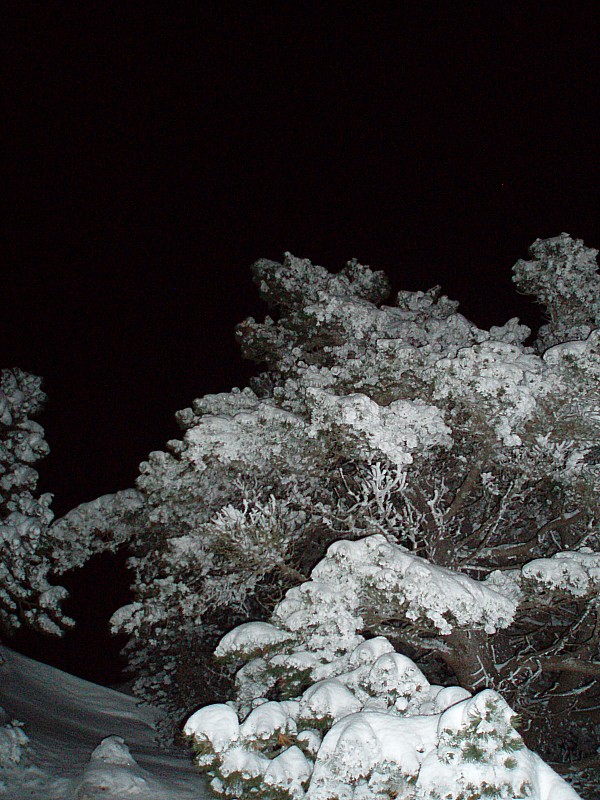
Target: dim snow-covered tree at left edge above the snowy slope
[[32, 549]]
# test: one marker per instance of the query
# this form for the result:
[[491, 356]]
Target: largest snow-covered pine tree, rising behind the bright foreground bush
[[475, 453]]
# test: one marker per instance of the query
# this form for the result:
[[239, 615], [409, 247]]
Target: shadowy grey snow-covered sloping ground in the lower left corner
[[84, 741]]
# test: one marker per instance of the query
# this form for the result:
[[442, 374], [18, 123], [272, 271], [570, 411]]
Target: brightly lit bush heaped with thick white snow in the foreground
[[320, 712]]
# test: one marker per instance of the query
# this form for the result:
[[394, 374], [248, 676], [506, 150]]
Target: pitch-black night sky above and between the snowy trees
[[152, 158]]
